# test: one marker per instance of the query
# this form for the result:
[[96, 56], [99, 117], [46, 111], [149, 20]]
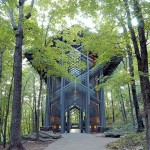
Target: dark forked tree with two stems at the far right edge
[[142, 59]]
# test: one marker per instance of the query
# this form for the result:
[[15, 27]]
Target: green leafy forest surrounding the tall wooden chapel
[[107, 28]]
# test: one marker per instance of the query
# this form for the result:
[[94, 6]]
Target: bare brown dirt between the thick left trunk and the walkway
[[33, 145]]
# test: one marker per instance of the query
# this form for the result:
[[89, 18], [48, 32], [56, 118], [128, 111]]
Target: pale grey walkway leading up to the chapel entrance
[[80, 141]]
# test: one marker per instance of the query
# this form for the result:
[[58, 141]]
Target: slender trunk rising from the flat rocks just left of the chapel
[[38, 107]]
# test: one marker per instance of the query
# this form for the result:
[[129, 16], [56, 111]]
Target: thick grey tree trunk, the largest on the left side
[[15, 142]]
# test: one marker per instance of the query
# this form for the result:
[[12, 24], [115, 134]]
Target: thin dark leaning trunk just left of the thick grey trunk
[[7, 113]]
